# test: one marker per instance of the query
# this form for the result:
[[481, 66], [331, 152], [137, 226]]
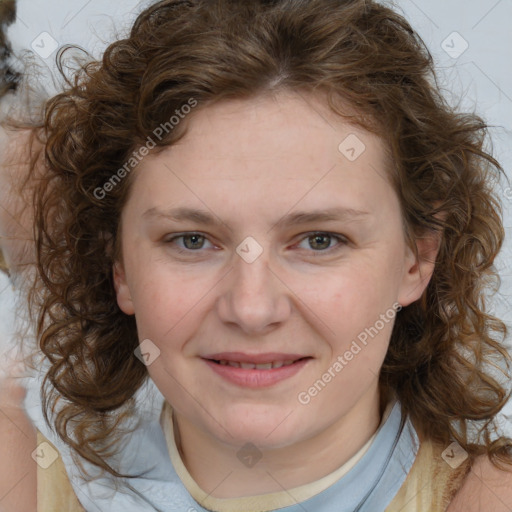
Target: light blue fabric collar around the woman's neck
[[368, 487]]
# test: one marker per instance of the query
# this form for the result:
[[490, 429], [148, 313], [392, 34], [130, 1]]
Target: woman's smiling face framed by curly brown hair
[[268, 234]]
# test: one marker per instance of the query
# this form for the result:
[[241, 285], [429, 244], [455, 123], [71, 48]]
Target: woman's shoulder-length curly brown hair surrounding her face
[[357, 53]]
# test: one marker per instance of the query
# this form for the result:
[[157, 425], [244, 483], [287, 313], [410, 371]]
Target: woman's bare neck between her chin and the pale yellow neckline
[[216, 469]]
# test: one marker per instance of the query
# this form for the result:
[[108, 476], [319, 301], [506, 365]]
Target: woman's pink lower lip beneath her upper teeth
[[253, 378]]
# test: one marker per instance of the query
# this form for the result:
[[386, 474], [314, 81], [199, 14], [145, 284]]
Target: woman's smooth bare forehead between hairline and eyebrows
[[273, 149]]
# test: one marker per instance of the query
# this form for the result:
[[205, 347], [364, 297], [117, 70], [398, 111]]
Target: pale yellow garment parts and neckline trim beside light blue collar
[[429, 486]]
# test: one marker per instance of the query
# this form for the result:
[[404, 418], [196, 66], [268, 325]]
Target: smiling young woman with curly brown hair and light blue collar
[[269, 210]]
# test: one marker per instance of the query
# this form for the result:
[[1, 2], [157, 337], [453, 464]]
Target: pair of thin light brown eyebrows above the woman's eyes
[[290, 219]]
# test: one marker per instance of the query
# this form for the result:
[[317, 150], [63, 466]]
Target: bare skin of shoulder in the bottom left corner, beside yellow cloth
[[18, 471]]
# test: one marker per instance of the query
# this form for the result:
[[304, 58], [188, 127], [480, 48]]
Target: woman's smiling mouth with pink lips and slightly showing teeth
[[257, 370]]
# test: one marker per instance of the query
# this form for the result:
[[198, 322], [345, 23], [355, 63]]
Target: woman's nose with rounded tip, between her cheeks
[[253, 298]]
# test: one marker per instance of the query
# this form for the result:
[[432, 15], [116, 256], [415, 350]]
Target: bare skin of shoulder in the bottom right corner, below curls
[[485, 489]]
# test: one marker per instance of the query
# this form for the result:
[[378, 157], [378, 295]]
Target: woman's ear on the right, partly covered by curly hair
[[418, 270]]
